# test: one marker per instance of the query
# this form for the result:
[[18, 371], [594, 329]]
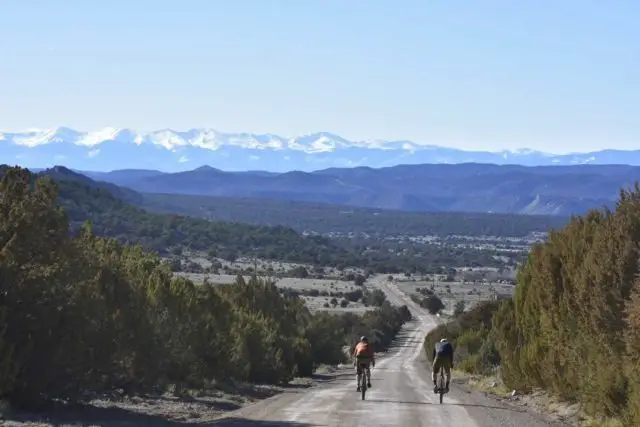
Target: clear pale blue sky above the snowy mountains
[[556, 75]]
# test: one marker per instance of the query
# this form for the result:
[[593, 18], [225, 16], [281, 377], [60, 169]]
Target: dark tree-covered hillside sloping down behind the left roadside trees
[[108, 208]]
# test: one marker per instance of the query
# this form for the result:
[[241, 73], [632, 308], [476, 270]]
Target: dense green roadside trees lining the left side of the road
[[86, 313]]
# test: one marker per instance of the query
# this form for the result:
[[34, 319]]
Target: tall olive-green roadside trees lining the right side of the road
[[573, 326]]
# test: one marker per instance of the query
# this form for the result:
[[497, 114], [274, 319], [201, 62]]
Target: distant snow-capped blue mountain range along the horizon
[[172, 151]]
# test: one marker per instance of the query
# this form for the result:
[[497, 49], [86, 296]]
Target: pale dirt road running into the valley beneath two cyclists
[[402, 393]]
